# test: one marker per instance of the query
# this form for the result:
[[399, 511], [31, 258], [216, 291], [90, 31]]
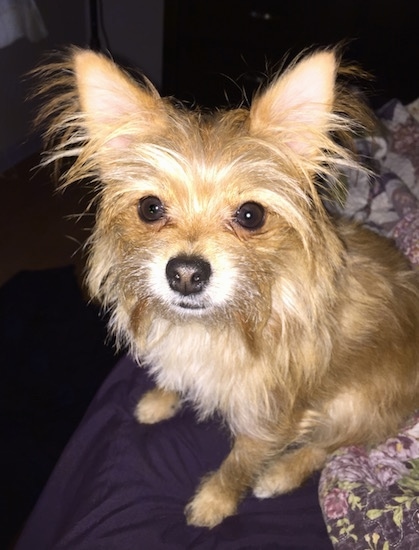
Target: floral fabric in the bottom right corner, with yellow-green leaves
[[370, 498]]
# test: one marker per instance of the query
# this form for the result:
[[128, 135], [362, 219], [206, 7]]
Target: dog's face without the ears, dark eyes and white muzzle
[[195, 232]]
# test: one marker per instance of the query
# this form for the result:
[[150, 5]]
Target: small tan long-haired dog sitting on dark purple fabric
[[226, 276]]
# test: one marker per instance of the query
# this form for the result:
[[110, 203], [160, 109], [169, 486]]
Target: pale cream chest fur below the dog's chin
[[208, 368]]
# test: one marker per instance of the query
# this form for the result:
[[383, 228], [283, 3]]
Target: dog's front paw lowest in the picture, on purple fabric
[[210, 505]]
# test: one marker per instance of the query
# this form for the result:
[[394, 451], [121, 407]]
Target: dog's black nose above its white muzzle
[[188, 274]]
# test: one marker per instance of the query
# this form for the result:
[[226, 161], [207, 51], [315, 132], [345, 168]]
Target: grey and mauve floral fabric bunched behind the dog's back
[[389, 202]]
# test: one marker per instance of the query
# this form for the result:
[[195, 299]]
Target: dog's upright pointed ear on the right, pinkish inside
[[296, 108]]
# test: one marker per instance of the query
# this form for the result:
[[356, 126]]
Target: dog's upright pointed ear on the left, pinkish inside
[[112, 102]]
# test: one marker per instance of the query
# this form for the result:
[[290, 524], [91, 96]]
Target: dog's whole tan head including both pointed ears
[[203, 217]]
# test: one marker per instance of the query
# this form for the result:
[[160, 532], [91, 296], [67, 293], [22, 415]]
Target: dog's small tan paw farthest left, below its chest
[[157, 405]]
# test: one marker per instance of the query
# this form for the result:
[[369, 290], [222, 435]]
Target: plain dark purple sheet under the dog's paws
[[123, 486]]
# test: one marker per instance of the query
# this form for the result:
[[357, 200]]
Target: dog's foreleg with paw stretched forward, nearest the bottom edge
[[220, 492]]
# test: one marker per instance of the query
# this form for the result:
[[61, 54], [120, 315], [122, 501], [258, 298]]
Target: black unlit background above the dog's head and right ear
[[210, 47]]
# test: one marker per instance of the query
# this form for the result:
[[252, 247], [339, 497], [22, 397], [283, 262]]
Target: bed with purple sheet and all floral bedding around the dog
[[121, 485]]
